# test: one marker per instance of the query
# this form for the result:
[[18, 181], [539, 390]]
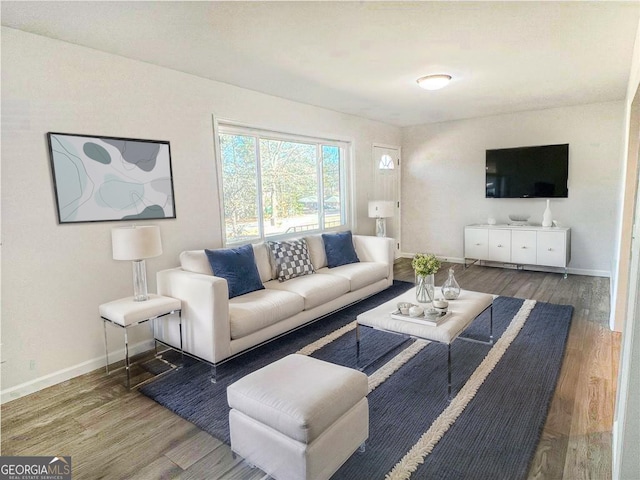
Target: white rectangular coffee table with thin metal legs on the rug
[[462, 311]]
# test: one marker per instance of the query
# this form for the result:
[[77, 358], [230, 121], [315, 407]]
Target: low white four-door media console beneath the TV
[[518, 245]]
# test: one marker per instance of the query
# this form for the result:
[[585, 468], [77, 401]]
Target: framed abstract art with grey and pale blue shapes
[[108, 179]]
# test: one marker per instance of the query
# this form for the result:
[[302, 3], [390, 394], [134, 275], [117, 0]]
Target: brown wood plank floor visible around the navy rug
[[111, 433]]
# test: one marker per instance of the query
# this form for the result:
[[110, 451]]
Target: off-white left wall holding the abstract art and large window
[[55, 276]]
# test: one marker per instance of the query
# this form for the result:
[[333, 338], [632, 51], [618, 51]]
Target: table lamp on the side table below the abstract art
[[137, 243]]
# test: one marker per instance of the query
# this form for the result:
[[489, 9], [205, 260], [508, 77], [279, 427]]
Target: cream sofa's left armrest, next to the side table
[[206, 332]]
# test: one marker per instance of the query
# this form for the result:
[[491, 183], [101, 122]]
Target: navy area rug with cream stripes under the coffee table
[[489, 430]]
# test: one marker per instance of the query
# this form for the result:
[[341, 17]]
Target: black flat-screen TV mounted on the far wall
[[528, 172]]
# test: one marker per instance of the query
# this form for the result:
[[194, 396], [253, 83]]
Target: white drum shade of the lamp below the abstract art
[[136, 243]]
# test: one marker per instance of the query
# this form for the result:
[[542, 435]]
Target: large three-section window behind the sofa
[[276, 184]]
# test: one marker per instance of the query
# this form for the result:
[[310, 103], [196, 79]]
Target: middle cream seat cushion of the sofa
[[315, 289]]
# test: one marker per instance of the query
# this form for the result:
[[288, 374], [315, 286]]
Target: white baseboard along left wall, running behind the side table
[[65, 374]]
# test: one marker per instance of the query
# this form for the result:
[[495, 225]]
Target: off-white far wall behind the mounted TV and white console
[[443, 179]]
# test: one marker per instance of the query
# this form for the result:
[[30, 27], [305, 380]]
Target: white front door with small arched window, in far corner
[[386, 186]]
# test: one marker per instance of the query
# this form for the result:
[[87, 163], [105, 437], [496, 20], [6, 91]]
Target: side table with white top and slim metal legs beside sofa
[[126, 313]]
